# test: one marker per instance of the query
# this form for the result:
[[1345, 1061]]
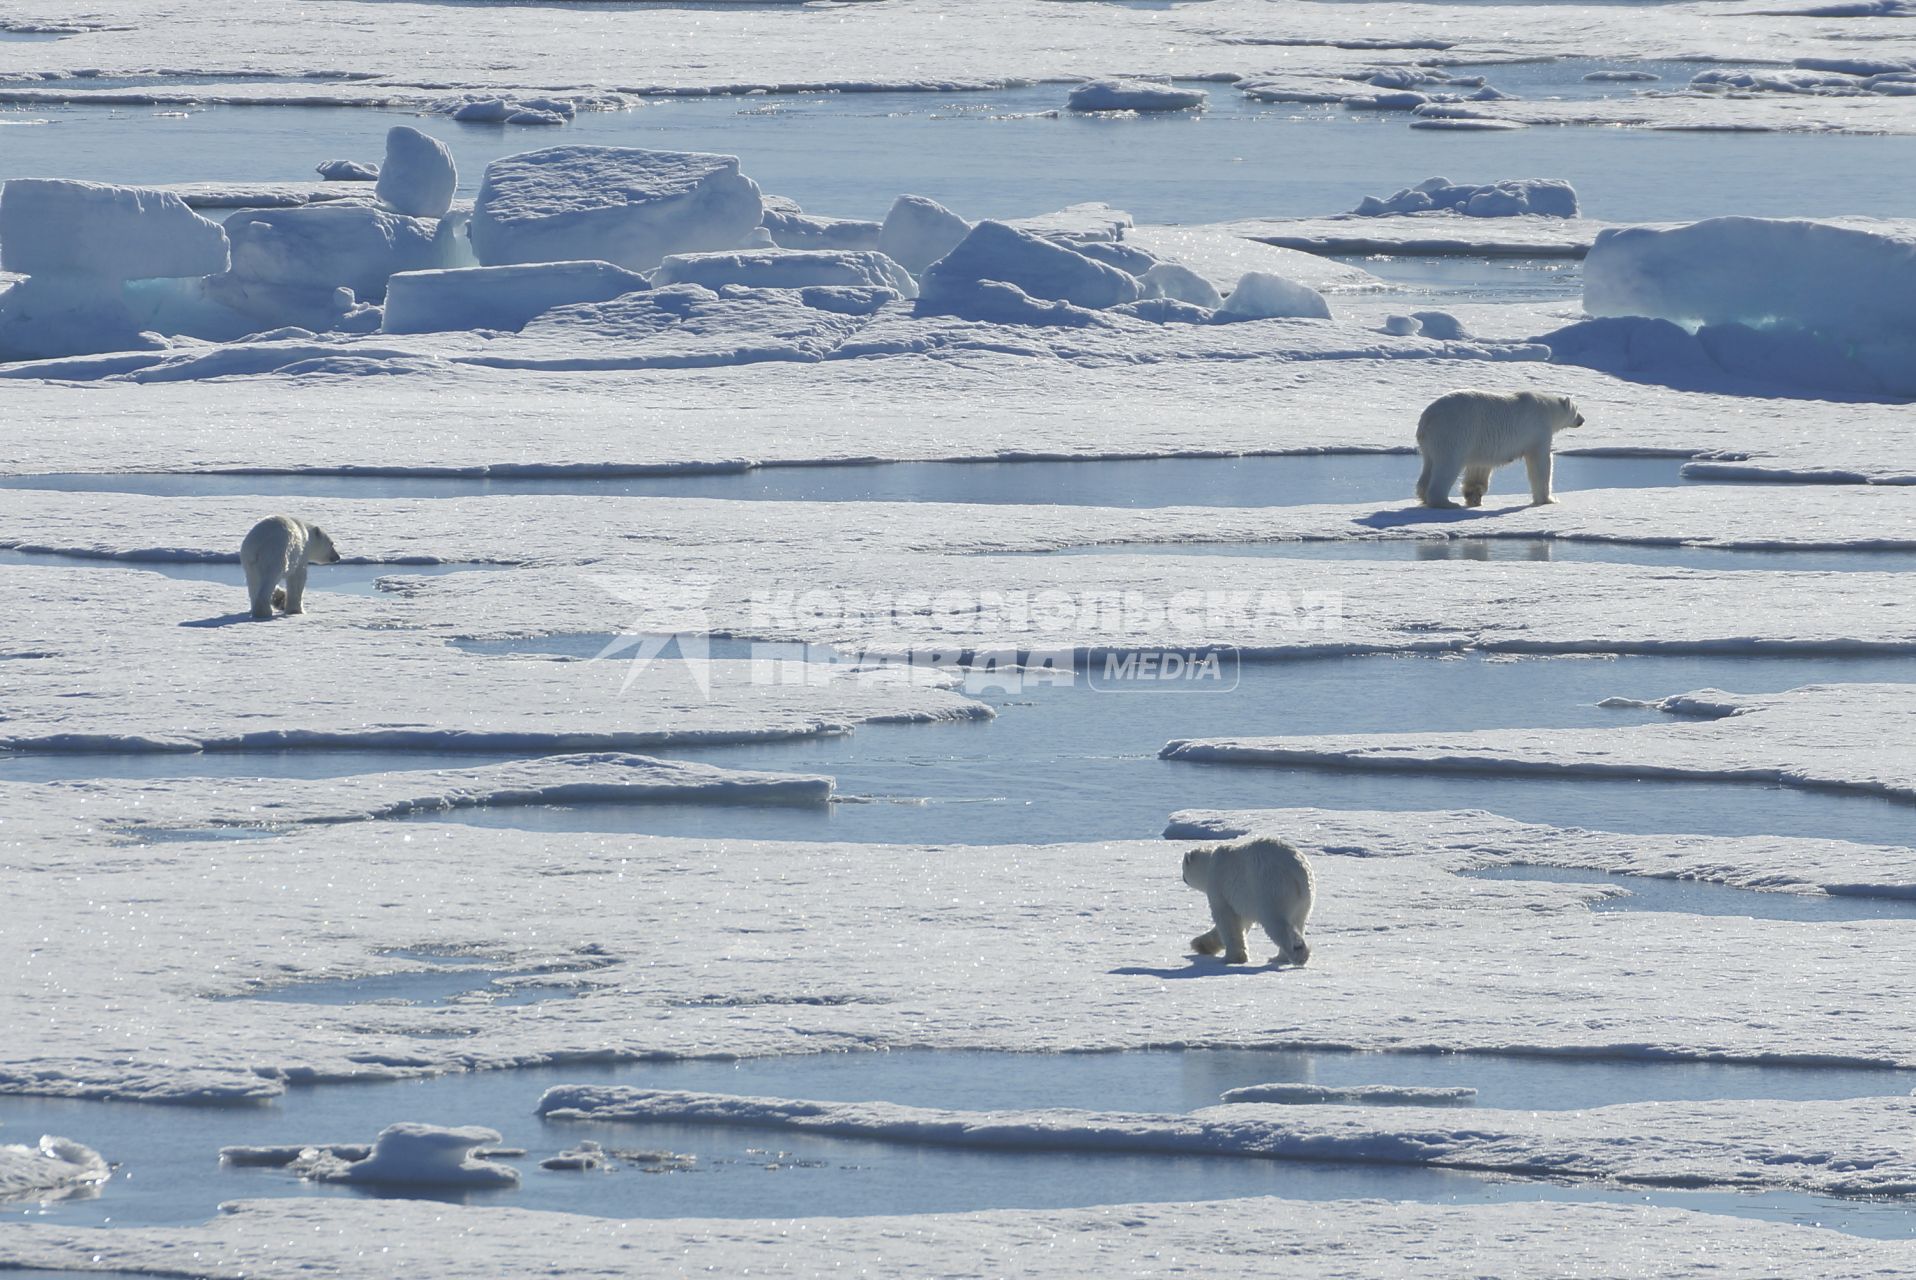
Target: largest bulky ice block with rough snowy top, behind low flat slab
[[622, 206]]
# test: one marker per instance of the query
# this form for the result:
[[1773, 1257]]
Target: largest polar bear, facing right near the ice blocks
[[1476, 432]]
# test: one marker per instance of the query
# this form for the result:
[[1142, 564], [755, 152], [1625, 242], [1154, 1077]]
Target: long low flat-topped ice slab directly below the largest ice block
[[497, 298]]
